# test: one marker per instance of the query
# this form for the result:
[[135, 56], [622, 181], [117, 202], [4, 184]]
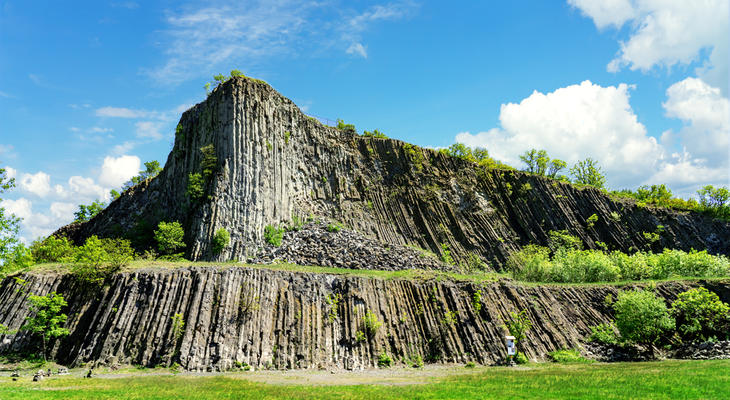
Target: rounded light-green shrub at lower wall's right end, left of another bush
[[641, 316]]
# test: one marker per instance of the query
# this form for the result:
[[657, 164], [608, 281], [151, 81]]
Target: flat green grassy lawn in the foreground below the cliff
[[649, 380]]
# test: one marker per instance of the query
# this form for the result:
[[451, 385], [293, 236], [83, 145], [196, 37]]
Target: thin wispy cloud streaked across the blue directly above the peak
[[210, 39]]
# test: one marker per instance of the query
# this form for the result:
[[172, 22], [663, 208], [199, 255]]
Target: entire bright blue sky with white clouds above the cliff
[[90, 90]]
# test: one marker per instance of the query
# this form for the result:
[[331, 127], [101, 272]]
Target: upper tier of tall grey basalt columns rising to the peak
[[272, 163]]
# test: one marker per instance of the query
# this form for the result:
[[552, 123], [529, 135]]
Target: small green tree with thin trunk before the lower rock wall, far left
[[47, 320]]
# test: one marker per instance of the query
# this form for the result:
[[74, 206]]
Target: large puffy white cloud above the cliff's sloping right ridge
[[572, 123]]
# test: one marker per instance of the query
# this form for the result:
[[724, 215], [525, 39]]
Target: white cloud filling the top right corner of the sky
[[667, 33]]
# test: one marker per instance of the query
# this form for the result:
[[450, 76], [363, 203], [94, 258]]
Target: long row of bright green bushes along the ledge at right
[[538, 264]]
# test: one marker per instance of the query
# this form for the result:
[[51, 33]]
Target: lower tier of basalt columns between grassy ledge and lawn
[[210, 318]]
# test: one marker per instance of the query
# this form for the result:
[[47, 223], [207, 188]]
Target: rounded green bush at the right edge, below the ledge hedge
[[700, 315]]
